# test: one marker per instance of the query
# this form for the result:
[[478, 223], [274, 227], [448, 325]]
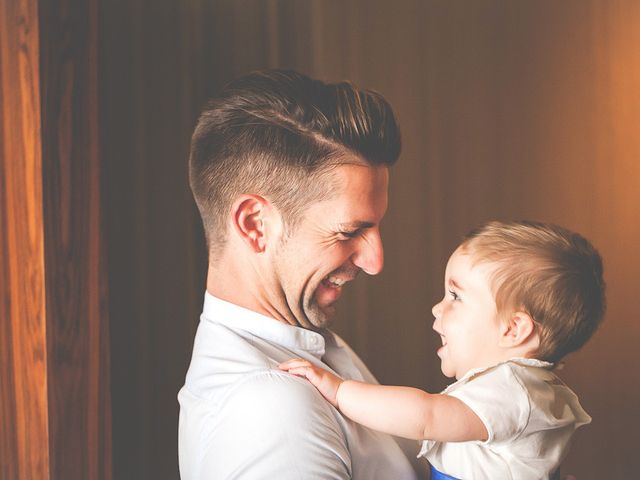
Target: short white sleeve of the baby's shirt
[[499, 399]]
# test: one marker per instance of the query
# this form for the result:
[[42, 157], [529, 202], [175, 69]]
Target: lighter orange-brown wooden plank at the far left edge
[[24, 450]]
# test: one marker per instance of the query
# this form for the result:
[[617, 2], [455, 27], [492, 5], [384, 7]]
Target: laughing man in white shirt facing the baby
[[290, 176]]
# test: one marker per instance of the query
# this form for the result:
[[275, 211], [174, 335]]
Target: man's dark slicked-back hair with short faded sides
[[276, 133]]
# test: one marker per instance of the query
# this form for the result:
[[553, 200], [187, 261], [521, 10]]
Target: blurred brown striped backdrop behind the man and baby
[[508, 110]]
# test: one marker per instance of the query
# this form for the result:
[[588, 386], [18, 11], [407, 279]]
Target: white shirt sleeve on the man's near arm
[[275, 425]]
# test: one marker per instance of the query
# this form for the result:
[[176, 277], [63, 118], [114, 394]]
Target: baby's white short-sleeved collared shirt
[[529, 414]]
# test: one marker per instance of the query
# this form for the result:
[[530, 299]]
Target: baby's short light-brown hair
[[550, 273]]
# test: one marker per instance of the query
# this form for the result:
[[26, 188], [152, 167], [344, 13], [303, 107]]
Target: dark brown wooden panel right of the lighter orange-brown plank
[[77, 328]]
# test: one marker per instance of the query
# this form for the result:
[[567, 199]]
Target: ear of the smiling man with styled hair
[[249, 214]]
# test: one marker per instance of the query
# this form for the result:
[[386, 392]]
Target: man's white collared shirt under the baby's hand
[[243, 418]]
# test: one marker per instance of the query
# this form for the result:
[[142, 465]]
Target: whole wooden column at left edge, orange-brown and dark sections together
[[54, 371]]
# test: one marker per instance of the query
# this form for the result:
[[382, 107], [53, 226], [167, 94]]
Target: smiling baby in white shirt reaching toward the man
[[518, 297]]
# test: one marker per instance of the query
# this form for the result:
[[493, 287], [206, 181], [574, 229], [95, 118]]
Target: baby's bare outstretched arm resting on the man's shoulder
[[402, 411]]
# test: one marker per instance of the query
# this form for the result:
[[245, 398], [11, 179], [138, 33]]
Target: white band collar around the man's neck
[[219, 311]]
